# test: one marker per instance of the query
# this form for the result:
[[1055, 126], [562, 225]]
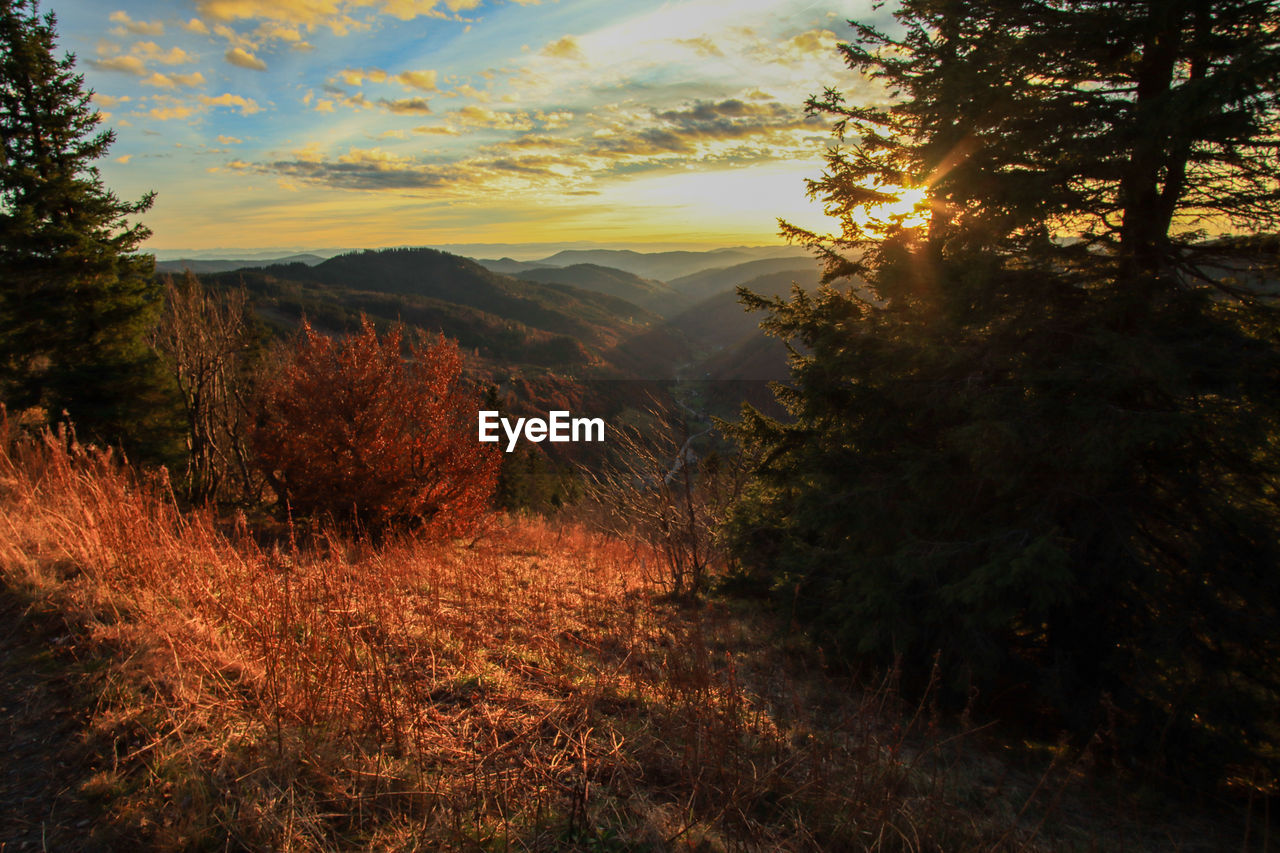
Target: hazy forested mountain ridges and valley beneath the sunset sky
[[547, 331]]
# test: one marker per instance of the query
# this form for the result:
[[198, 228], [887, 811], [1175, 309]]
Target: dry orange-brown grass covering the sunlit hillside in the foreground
[[531, 691]]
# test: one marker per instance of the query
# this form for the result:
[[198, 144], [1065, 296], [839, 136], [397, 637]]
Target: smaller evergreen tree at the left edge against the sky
[[76, 300]]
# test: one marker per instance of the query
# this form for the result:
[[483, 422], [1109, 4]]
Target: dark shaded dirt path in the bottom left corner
[[42, 749]]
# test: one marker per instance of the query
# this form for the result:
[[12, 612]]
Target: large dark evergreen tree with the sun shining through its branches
[[1039, 435]]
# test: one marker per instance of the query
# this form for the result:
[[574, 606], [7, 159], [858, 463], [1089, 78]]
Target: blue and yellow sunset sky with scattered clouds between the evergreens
[[364, 124]]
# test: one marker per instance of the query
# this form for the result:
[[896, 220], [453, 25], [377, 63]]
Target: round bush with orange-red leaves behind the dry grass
[[355, 430]]
